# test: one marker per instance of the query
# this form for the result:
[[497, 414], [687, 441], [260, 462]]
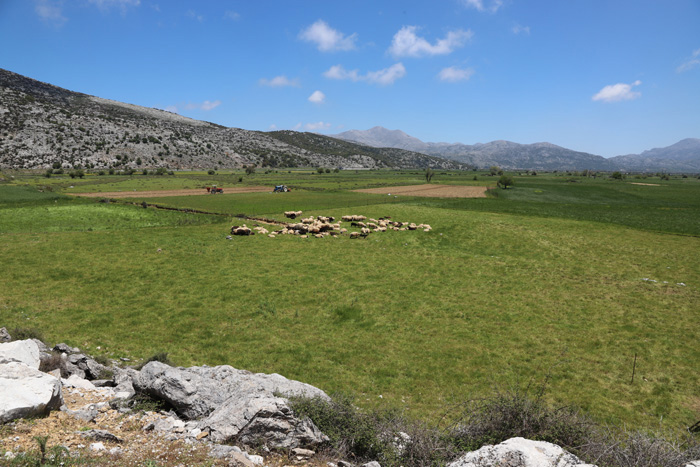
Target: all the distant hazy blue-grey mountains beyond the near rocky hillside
[[683, 156]]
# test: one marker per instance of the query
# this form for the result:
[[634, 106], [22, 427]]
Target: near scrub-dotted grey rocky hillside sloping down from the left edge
[[41, 124]]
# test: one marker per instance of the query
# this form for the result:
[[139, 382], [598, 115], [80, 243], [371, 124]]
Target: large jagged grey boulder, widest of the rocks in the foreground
[[234, 405]]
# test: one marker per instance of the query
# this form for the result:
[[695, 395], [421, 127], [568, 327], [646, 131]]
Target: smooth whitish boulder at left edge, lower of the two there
[[27, 392]]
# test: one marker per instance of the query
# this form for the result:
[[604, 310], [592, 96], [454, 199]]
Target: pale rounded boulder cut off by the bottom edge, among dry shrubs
[[519, 452]]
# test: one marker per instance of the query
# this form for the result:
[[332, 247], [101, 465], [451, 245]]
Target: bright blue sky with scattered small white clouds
[[605, 77]]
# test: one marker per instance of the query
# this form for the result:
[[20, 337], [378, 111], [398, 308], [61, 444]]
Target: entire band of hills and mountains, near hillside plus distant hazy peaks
[[42, 124]]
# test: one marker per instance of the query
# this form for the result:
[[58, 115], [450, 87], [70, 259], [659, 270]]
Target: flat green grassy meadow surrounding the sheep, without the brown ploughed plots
[[561, 277]]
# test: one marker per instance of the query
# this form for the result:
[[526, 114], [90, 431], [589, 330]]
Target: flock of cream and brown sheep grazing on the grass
[[322, 226]]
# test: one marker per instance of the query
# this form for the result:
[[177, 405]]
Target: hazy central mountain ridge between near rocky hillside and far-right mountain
[[505, 154]]
